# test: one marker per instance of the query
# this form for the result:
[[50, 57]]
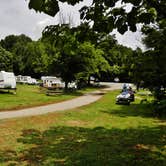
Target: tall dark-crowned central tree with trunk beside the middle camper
[[64, 62]]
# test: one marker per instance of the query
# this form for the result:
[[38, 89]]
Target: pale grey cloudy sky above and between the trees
[[16, 18]]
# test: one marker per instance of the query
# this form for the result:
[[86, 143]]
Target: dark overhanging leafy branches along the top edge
[[105, 15]]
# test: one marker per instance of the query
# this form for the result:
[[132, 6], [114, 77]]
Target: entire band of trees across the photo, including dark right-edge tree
[[76, 54]]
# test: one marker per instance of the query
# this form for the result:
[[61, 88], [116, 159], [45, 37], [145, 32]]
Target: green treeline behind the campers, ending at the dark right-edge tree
[[70, 53]]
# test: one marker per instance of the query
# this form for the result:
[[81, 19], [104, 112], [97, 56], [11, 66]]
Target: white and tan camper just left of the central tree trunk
[[52, 82]]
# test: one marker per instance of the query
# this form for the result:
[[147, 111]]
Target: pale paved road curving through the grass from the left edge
[[70, 104]]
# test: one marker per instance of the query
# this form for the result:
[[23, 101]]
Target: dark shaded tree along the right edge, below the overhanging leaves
[[153, 60]]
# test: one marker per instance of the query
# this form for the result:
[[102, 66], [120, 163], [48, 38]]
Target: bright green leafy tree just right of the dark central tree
[[92, 61]]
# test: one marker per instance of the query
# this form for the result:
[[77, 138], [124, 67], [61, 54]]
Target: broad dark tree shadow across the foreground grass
[[90, 147]]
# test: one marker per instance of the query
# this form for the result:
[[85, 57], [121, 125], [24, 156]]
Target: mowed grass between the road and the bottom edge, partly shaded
[[100, 134]]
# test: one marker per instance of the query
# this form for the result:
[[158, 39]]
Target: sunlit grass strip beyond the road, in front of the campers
[[28, 95]]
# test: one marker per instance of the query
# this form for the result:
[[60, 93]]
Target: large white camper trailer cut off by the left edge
[[7, 80]]
